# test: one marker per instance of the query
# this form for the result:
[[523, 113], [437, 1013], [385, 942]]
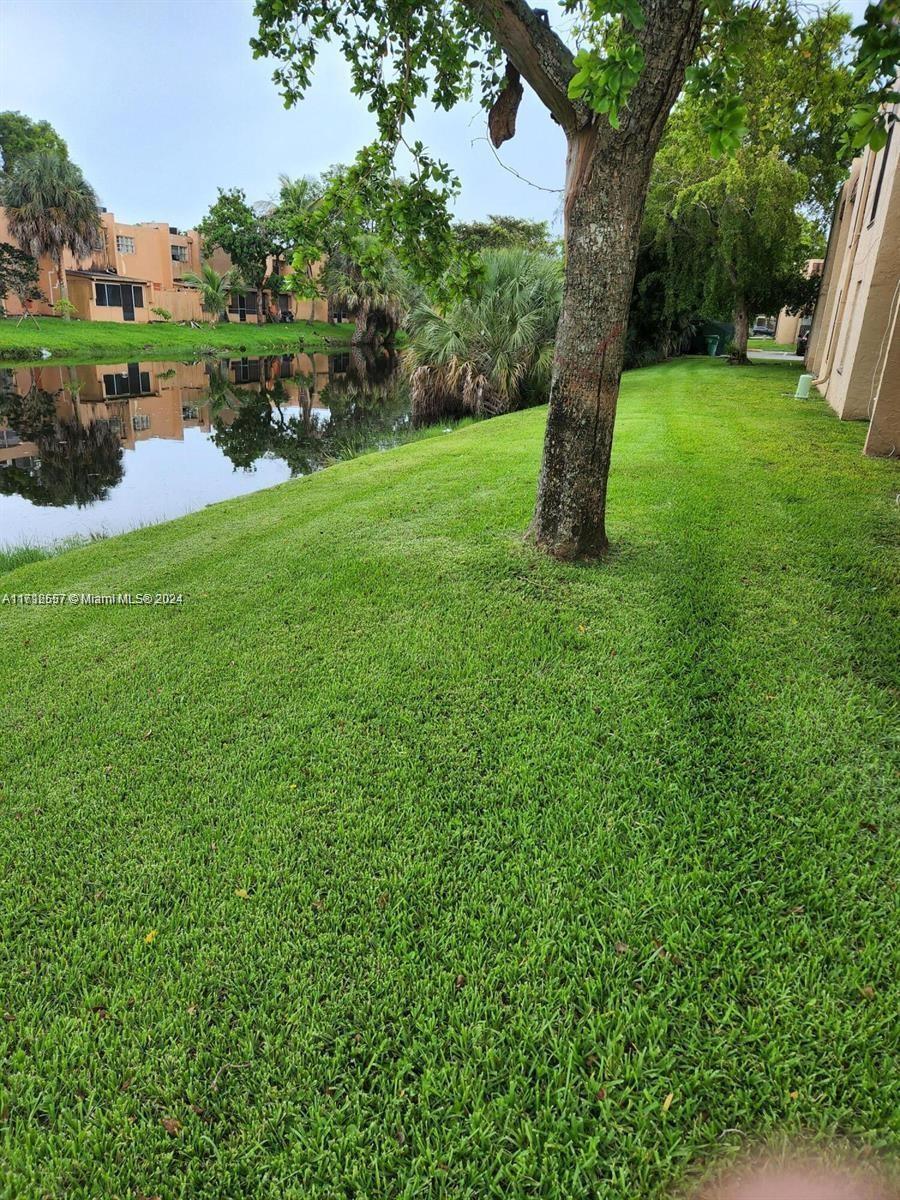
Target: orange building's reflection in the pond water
[[161, 400]]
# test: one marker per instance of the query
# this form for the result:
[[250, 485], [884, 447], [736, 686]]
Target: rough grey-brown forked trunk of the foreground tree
[[608, 176]]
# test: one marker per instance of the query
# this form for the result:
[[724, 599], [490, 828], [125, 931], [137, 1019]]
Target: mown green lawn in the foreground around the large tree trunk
[[400, 861]]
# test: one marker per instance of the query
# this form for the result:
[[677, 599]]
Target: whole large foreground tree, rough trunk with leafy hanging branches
[[613, 100]]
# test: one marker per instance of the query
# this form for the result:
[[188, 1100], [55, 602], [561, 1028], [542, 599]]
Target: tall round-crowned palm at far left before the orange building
[[51, 208]]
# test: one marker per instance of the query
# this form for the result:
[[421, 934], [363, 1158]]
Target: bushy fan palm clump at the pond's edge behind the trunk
[[491, 352]]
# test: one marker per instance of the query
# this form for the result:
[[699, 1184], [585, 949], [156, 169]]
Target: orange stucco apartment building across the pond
[[136, 268]]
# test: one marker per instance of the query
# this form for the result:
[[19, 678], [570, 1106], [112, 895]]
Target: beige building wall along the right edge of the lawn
[[855, 340]]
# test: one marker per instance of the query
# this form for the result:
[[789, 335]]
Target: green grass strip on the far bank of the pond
[[77, 341]]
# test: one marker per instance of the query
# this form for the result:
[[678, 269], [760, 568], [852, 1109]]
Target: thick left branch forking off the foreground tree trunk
[[539, 56]]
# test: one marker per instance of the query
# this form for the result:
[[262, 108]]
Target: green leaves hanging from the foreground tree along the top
[[445, 51]]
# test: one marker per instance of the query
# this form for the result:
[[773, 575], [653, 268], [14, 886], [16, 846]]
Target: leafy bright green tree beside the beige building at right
[[736, 231]]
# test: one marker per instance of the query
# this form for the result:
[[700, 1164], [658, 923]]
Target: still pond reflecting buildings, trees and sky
[[101, 449]]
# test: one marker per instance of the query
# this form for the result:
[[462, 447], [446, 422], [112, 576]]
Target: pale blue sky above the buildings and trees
[[161, 103]]
